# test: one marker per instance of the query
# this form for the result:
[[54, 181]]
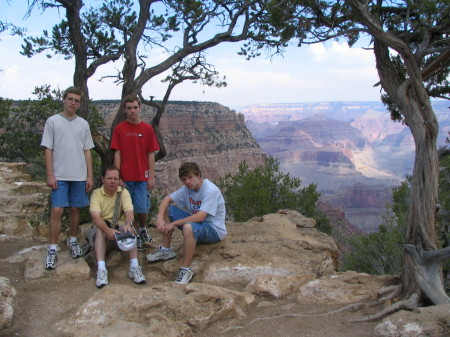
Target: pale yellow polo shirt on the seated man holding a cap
[[104, 203]]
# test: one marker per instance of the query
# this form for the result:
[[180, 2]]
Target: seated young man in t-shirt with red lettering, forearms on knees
[[203, 221]]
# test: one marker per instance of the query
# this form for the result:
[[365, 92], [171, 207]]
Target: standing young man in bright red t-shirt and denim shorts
[[135, 144]]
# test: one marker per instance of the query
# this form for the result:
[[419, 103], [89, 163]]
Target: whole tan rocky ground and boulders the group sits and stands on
[[275, 275]]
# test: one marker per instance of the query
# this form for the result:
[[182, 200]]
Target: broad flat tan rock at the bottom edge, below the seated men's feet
[[166, 309]]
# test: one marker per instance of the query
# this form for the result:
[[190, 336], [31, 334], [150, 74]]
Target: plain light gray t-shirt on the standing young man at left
[[68, 139]]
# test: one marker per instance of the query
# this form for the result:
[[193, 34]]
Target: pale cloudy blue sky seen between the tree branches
[[321, 72]]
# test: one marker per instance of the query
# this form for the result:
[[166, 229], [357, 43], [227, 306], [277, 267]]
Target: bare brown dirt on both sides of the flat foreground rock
[[40, 304]]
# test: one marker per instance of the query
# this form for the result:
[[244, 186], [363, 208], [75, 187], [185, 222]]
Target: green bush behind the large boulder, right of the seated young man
[[264, 190]]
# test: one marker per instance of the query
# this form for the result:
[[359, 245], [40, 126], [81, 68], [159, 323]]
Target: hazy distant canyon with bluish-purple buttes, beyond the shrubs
[[353, 151]]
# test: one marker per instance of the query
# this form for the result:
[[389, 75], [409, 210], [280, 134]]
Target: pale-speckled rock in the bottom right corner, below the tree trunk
[[425, 321]]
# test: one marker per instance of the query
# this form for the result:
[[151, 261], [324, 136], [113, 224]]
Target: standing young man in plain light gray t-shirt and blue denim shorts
[[67, 144]]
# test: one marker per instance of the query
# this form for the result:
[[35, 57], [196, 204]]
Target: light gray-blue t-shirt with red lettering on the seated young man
[[208, 199]]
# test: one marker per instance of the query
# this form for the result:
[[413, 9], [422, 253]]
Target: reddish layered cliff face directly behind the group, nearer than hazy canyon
[[208, 133]]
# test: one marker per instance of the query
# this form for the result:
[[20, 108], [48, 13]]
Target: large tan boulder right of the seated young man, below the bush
[[272, 245]]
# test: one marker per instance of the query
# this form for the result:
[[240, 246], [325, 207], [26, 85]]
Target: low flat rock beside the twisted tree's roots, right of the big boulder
[[343, 288]]
